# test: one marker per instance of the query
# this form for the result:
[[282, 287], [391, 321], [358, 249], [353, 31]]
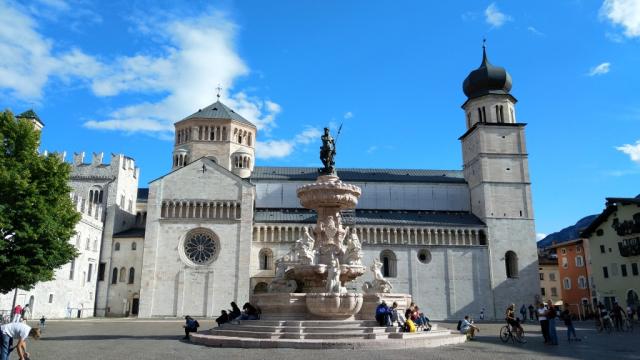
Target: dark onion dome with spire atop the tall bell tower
[[487, 79]]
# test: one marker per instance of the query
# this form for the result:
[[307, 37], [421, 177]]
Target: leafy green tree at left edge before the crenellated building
[[37, 217]]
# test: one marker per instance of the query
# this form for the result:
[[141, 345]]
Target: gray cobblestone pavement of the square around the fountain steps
[[161, 339]]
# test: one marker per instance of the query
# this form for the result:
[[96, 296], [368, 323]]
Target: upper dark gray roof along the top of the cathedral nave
[[354, 174]]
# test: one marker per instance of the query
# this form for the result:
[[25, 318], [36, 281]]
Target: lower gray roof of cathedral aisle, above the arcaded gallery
[[375, 217]]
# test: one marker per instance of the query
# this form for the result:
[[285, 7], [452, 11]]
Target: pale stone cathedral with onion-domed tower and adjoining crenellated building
[[209, 231]]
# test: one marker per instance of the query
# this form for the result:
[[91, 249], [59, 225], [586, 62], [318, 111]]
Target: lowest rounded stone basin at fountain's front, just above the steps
[[334, 306]]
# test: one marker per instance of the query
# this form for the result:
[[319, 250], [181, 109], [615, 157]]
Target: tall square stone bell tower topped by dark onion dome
[[497, 171]]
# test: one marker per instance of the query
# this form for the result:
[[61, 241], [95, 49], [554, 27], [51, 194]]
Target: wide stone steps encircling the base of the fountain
[[321, 334]]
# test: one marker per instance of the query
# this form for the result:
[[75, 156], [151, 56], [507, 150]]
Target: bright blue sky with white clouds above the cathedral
[[114, 76]]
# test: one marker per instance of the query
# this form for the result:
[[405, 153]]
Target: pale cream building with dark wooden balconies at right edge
[[614, 243]]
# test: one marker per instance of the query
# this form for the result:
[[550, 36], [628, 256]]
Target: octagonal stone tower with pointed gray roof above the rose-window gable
[[219, 133]]
